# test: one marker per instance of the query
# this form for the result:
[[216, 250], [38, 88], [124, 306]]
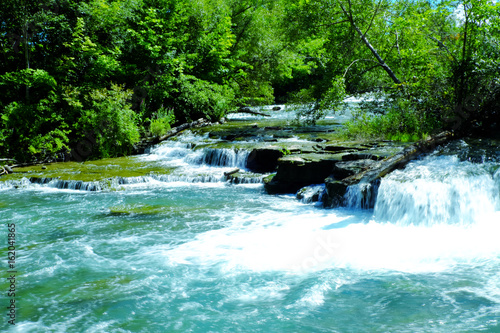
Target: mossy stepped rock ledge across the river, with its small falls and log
[[258, 147]]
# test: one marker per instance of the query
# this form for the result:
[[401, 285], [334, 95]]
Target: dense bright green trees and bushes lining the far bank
[[107, 72]]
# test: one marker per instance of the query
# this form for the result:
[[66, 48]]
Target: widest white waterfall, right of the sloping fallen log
[[439, 190]]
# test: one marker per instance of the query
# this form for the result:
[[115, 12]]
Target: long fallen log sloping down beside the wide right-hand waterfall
[[336, 189]]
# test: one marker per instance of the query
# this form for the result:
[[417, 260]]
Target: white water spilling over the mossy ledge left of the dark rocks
[[181, 161]]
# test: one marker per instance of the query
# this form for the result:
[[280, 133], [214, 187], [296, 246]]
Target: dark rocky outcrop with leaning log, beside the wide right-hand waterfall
[[351, 176]]
